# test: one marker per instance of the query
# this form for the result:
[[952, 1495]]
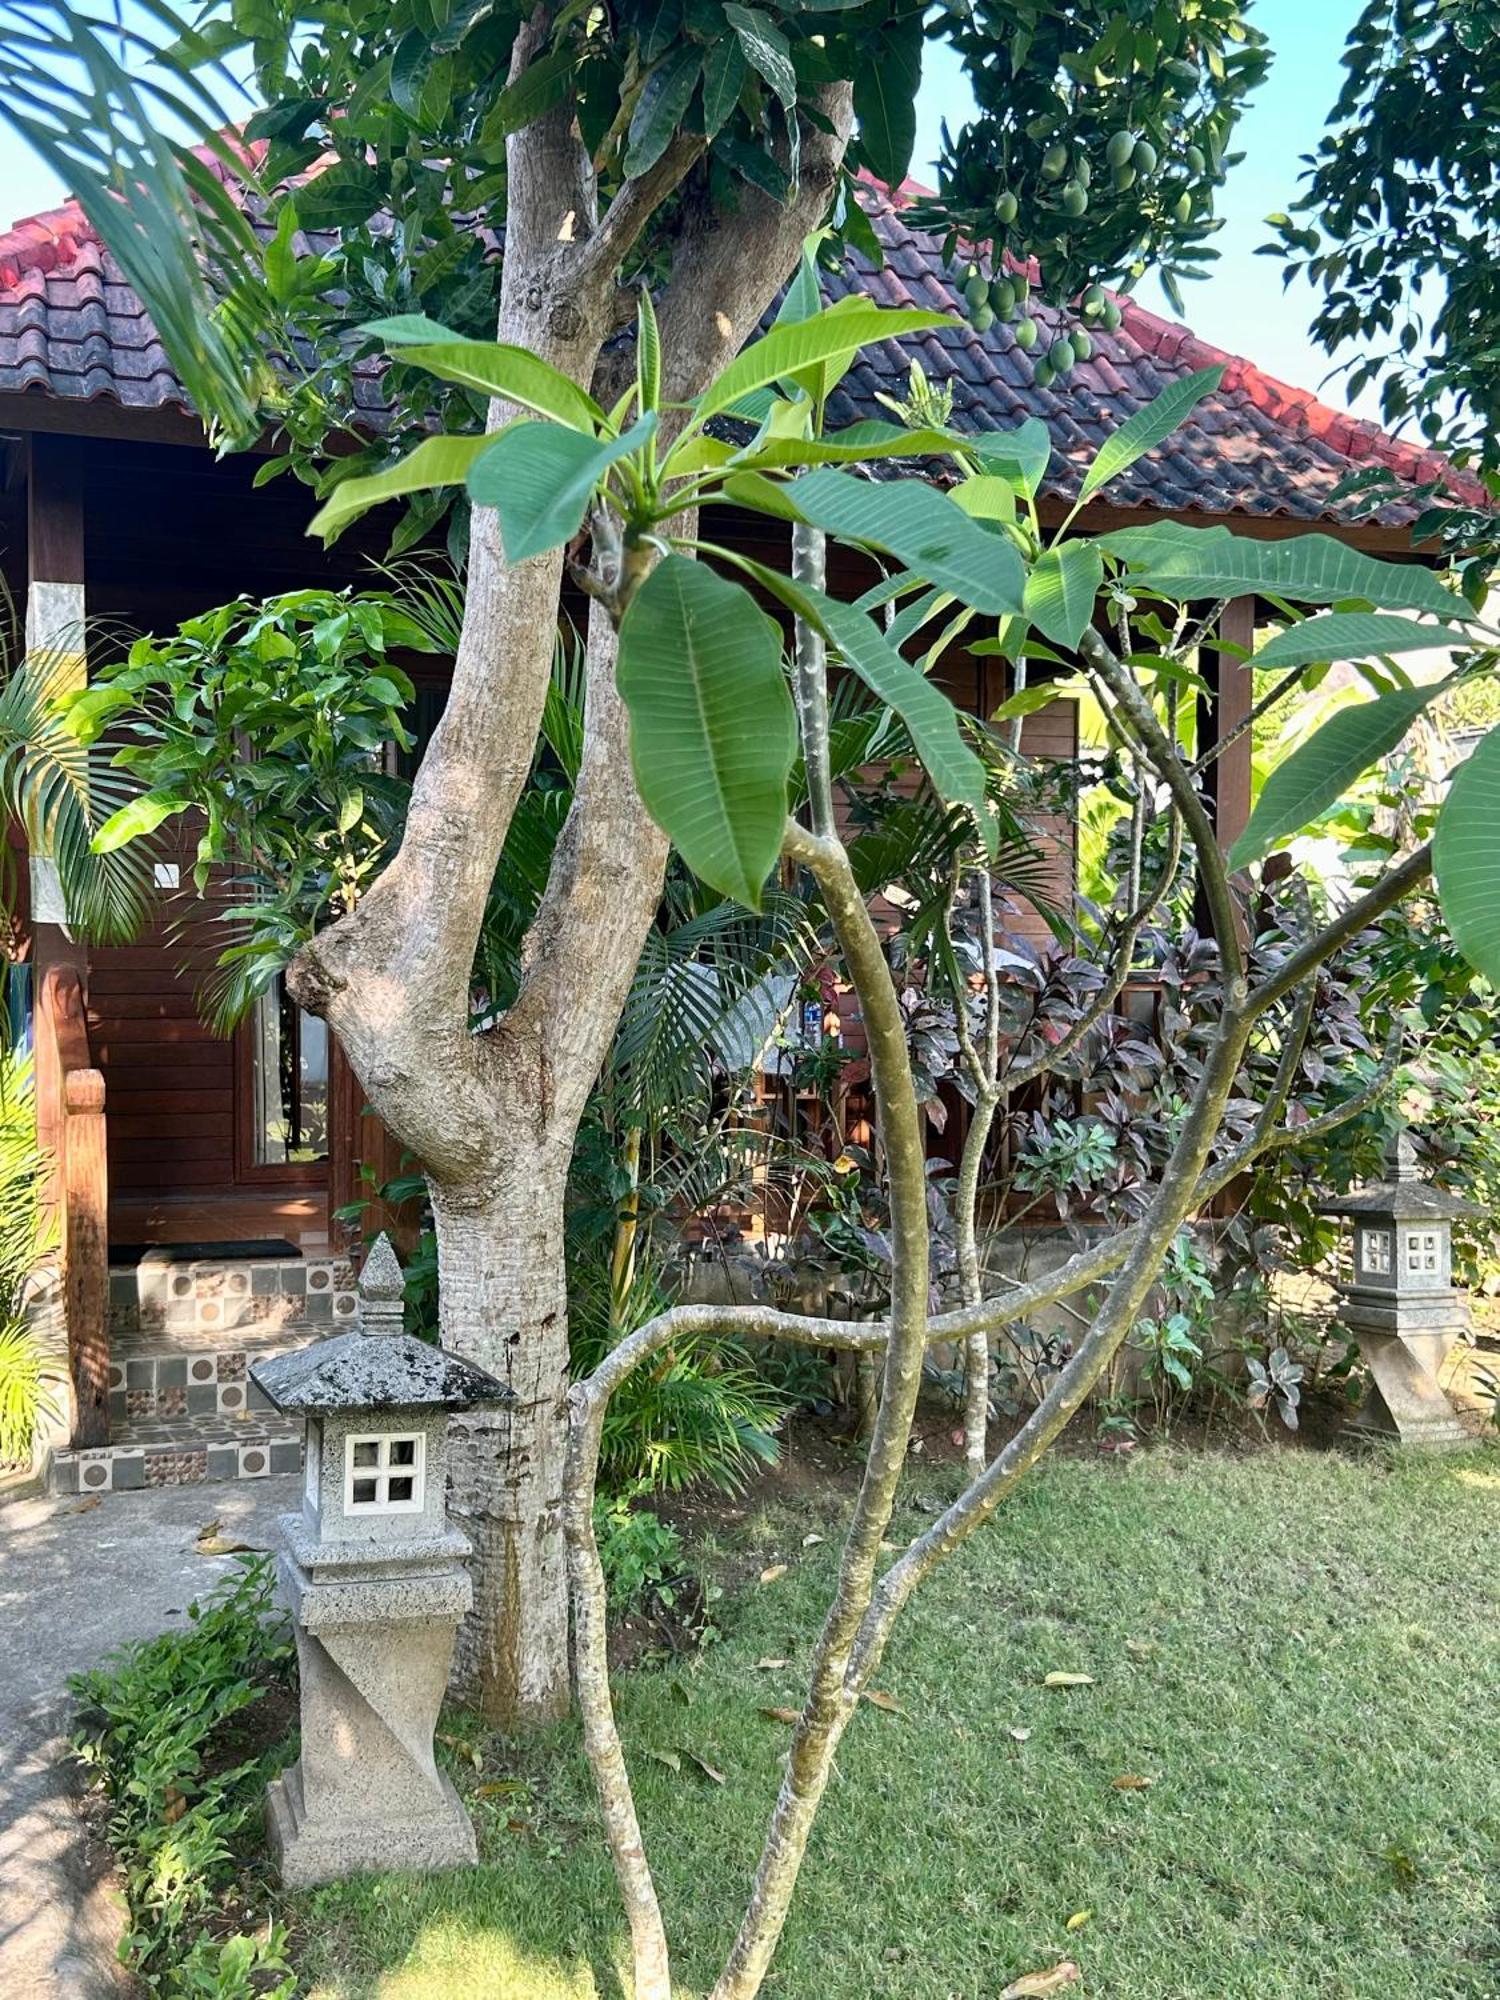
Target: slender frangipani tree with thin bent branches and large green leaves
[[717, 721]]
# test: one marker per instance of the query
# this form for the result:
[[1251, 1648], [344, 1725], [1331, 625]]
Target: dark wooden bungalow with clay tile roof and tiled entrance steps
[[191, 1167]]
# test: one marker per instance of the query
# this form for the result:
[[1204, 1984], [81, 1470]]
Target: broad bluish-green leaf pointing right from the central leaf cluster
[[923, 529]]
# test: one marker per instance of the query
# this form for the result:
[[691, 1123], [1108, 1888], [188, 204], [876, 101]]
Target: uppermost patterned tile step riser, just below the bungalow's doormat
[[197, 1305]]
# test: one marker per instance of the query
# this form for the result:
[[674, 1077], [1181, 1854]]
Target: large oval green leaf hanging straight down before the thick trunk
[[713, 733]]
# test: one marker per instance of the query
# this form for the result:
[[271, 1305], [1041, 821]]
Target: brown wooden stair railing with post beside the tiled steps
[[71, 1129]]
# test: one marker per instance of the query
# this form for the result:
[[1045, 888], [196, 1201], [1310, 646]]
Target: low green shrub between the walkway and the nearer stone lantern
[[155, 1725]]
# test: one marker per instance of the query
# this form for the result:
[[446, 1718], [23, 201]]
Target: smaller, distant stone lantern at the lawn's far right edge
[[1401, 1307]]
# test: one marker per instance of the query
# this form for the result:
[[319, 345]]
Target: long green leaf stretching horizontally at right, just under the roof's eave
[[1309, 569]]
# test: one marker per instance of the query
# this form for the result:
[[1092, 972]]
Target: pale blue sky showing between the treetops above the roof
[[1241, 307]]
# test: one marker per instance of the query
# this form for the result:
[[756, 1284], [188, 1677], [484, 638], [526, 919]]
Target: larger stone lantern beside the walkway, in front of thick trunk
[[377, 1583]]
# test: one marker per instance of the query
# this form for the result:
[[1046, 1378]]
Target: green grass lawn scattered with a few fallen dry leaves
[[1301, 1651]]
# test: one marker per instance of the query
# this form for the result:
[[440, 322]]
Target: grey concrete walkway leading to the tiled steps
[[77, 1581]]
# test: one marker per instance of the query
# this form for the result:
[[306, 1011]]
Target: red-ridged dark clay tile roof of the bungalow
[[71, 329]]
